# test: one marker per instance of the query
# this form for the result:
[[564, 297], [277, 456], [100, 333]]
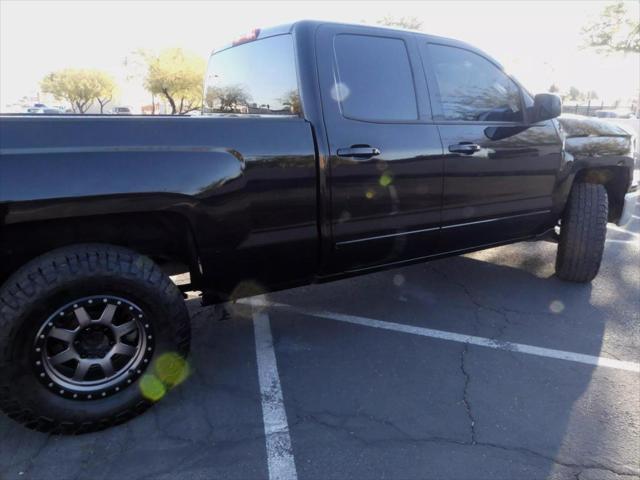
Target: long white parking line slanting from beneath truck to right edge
[[473, 340]]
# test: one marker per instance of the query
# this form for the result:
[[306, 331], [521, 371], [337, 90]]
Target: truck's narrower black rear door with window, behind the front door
[[386, 158]]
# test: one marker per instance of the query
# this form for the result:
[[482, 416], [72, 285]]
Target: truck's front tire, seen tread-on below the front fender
[[583, 231]]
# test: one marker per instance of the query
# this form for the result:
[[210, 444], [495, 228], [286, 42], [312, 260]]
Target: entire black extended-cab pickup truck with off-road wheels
[[324, 151]]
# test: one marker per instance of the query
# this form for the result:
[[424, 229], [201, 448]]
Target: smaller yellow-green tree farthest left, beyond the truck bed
[[79, 87]]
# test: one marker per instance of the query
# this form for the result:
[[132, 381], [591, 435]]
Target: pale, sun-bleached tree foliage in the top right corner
[[614, 31]]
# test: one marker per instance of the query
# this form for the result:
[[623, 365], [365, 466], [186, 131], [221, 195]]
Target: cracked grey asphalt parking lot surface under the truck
[[477, 367]]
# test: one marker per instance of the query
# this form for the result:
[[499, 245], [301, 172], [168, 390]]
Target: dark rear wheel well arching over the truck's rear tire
[[165, 237]]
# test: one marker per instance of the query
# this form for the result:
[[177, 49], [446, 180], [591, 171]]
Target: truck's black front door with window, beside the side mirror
[[499, 171]]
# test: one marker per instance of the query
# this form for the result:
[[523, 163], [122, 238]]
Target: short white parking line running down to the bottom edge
[[280, 459]]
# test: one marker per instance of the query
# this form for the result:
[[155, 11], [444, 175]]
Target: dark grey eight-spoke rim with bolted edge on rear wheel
[[93, 347]]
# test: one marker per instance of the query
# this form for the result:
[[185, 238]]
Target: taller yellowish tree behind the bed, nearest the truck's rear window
[[176, 75]]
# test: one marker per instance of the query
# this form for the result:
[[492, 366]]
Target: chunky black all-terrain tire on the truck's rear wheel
[[49, 283]]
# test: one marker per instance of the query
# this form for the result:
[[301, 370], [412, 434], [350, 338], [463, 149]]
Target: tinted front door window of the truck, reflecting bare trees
[[472, 88]]
